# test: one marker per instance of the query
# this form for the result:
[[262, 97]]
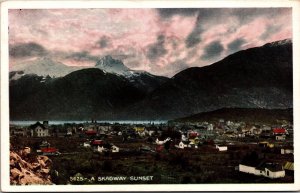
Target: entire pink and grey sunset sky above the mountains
[[161, 41]]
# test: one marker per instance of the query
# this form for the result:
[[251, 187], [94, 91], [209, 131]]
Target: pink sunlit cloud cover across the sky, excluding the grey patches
[[132, 31]]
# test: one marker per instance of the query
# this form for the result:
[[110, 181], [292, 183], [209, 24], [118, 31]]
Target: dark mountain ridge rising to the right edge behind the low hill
[[260, 77]]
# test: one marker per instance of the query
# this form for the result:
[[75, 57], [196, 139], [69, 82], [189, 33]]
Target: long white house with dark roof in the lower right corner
[[269, 170]]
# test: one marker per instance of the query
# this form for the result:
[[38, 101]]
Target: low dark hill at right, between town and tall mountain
[[265, 116]]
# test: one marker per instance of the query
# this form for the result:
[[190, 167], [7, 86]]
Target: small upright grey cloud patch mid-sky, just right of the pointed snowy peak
[[157, 49]]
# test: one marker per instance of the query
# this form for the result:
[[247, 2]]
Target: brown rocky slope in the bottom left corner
[[26, 169]]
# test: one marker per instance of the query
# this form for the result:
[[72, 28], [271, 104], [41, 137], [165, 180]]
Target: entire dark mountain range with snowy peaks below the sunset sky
[[260, 77]]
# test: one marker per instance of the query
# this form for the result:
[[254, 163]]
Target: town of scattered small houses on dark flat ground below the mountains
[[223, 151]]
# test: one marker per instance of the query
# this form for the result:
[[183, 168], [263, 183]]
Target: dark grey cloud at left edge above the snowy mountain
[[27, 50]]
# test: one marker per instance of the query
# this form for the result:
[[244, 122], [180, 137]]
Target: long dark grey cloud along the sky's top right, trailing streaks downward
[[208, 17]]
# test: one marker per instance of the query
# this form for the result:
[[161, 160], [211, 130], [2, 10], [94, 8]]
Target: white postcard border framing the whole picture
[[5, 185]]
